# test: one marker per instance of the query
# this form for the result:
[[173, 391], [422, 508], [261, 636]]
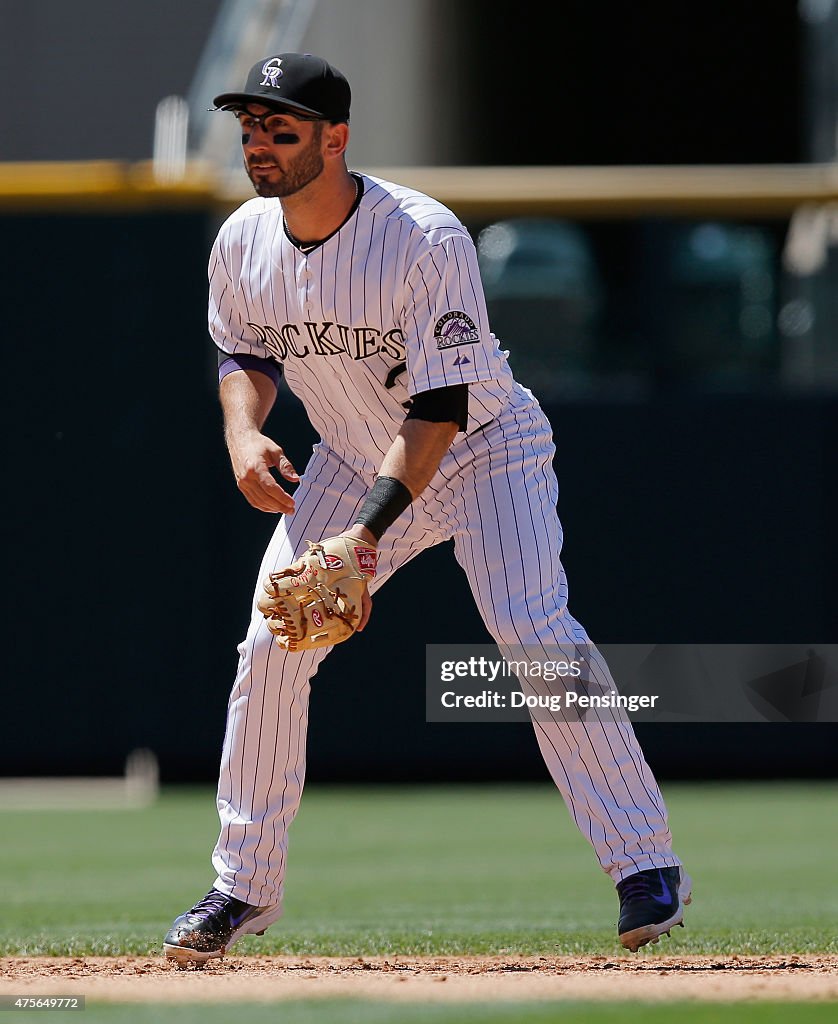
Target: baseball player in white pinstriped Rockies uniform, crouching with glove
[[367, 296]]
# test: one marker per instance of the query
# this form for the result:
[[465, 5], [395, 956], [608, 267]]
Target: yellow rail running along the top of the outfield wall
[[733, 192]]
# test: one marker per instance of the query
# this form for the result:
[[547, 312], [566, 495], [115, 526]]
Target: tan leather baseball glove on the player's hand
[[316, 603]]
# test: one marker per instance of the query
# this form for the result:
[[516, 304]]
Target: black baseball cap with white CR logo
[[295, 82]]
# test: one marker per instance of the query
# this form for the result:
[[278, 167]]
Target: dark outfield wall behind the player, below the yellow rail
[[689, 518]]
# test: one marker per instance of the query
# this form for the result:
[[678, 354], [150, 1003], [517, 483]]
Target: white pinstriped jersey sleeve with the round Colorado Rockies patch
[[448, 339]]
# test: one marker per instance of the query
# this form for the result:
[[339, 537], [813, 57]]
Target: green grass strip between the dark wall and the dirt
[[449, 870]]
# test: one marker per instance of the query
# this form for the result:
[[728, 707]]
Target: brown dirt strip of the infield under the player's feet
[[146, 979]]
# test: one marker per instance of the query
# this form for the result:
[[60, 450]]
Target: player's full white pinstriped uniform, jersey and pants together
[[390, 307]]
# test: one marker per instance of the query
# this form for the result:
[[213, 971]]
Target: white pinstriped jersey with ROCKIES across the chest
[[390, 307]]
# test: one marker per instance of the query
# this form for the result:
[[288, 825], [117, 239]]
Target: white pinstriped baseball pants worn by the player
[[496, 497]]
